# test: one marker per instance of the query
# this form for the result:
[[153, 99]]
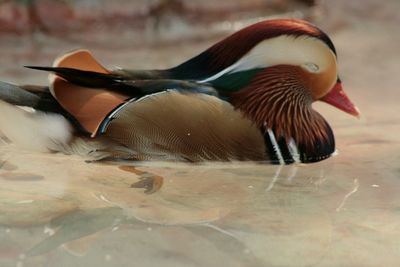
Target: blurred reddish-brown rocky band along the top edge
[[59, 16]]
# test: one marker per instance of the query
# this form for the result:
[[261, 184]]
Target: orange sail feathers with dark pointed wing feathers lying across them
[[90, 92]]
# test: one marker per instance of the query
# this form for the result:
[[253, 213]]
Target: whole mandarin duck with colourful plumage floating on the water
[[248, 97]]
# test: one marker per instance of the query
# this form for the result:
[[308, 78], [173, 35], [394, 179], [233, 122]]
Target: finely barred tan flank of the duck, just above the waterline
[[176, 126]]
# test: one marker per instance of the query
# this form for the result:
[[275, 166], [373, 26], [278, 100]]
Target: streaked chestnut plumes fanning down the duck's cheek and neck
[[278, 98]]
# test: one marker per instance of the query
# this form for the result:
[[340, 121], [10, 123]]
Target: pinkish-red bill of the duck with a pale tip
[[338, 98]]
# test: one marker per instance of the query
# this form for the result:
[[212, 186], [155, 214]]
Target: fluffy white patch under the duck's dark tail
[[35, 130]]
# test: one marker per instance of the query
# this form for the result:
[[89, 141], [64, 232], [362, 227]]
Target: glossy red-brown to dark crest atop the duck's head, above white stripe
[[227, 52]]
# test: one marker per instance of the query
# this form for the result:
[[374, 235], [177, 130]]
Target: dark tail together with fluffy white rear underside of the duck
[[36, 130]]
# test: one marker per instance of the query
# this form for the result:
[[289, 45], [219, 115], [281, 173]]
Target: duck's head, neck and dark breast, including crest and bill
[[273, 71]]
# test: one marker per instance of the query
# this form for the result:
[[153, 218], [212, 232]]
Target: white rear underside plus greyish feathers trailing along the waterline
[[50, 132]]
